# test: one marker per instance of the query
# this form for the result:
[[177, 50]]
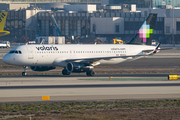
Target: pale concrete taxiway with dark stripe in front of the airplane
[[31, 89]]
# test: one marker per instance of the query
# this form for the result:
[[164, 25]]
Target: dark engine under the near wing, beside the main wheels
[[78, 67]]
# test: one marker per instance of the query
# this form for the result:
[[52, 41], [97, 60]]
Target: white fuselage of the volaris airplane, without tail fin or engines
[[56, 55]]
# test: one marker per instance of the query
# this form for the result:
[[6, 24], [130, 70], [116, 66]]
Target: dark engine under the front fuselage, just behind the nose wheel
[[42, 68]]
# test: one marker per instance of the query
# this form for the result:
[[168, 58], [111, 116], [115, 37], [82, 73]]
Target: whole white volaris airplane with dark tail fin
[[83, 57]]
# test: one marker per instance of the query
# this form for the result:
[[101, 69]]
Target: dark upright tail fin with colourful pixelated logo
[[145, 33]]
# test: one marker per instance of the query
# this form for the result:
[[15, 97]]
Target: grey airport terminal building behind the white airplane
[[109, 21]]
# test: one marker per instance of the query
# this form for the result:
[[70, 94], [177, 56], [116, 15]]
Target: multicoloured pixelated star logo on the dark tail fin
[[145, 32]]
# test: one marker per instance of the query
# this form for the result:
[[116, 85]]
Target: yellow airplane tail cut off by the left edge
[[3, 16]]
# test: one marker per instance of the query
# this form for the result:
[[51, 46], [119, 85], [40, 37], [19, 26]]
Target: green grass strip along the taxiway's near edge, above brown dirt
[[81, 106]]
